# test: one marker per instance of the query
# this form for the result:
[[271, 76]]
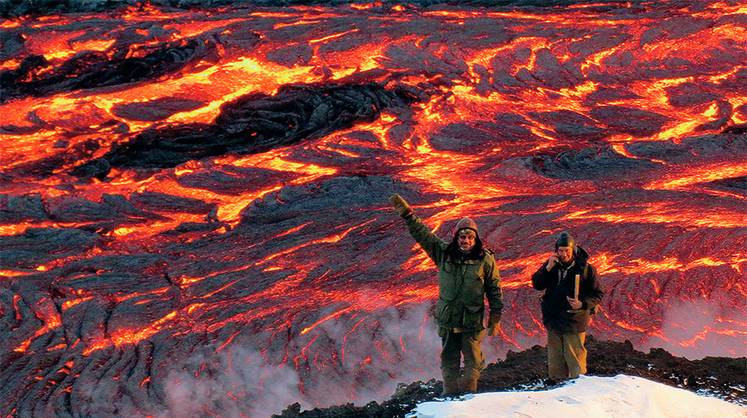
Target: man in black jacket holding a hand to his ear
[[572, 291]]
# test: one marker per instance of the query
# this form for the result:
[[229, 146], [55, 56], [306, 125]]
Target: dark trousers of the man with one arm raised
[[456, 344]]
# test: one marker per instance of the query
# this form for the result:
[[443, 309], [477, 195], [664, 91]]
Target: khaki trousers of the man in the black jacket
[[566, 355]]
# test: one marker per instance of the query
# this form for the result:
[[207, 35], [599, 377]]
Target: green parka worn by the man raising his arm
[[463, 283]]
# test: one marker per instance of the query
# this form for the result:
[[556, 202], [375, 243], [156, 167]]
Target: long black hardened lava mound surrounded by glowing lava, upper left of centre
[[251, 124]]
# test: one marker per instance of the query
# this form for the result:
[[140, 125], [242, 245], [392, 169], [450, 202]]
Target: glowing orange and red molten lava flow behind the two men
[[197, 199]]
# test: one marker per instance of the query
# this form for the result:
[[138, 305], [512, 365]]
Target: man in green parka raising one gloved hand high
[[466, 275]]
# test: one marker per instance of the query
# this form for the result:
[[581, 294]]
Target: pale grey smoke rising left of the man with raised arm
[[393, 346]]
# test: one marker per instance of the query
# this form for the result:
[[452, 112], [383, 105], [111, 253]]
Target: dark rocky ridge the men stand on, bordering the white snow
[[718, 376]]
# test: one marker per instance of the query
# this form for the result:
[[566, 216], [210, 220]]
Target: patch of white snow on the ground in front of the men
[[588, 396]]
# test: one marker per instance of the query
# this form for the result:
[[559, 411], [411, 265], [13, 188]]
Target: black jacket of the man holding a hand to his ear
[[559, 283]]
